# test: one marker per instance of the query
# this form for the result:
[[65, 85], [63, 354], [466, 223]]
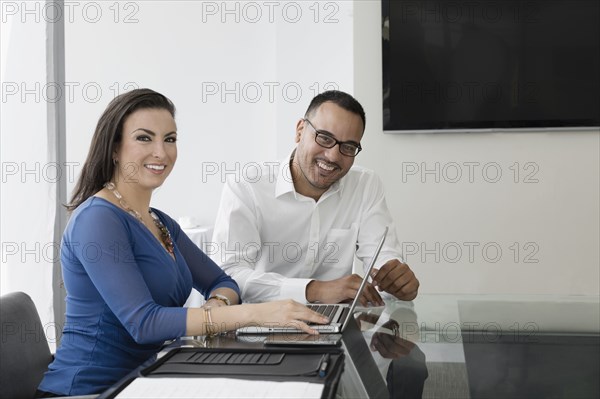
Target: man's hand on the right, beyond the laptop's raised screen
[[396, 278]]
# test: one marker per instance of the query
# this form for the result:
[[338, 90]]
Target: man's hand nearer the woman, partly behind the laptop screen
[[341, 290]]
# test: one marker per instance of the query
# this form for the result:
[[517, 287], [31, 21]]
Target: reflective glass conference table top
[[467, 346]]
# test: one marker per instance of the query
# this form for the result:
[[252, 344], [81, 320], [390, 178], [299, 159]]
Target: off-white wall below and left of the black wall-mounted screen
[[550, 208]]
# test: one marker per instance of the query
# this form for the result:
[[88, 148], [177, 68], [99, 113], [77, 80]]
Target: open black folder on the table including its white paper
[[236, 372]]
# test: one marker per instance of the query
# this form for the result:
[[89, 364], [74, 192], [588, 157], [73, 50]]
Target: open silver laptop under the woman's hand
[[338, 314]]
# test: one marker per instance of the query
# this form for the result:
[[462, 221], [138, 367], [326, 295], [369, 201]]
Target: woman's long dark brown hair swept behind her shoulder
[[99, 167]]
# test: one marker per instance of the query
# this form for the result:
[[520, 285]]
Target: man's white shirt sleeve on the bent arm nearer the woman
[[236, 243]]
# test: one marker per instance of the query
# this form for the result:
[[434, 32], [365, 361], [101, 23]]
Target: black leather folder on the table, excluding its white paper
[[272, 364]]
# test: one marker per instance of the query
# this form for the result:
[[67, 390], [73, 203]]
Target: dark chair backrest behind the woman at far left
[[24, 351]]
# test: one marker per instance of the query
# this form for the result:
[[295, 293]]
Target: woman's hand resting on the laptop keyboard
[[286, 313]]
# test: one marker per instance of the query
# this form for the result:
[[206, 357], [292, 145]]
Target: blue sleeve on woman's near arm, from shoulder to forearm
[[102, 242]]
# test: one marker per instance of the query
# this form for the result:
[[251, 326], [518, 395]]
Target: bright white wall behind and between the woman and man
[[240, 74]]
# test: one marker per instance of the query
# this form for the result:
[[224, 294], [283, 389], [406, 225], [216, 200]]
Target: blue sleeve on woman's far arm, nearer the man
[[206, 274]]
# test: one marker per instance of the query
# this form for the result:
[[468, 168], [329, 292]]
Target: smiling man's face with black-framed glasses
[[315, 168]]
